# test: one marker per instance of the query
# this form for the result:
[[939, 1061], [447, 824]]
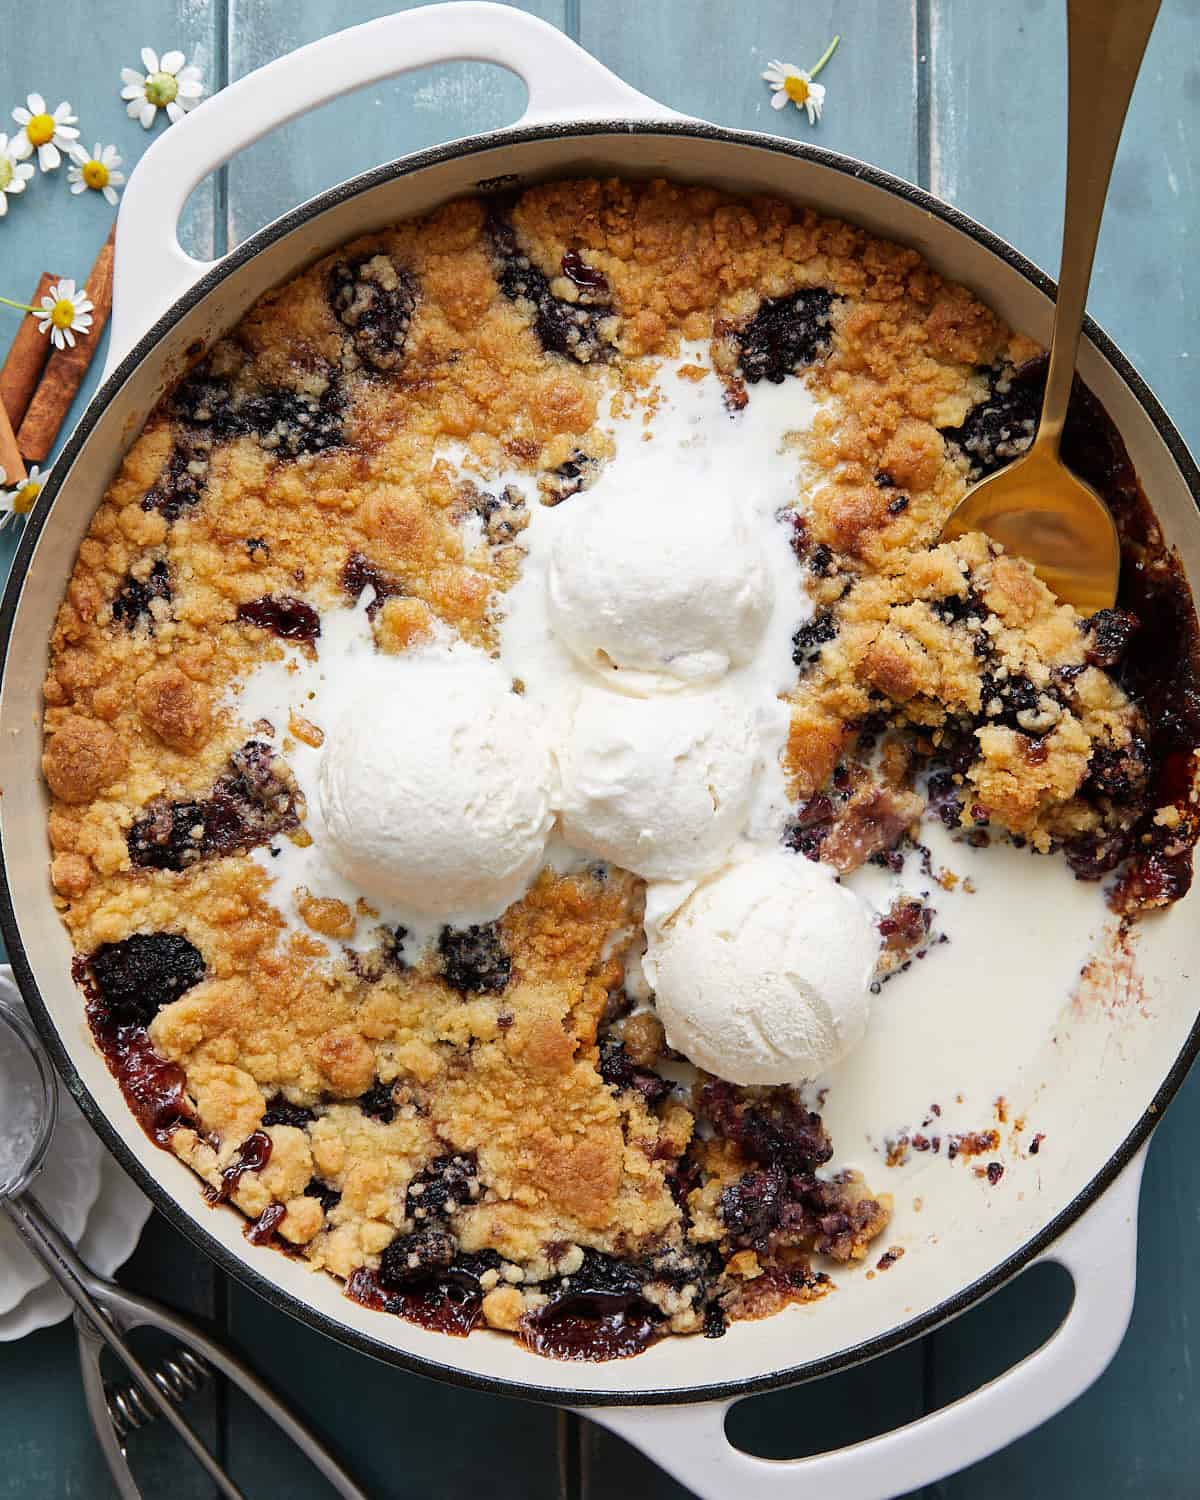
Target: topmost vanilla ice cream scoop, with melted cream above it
[[655, 590]]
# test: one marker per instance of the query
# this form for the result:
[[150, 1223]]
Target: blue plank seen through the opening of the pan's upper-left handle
[[371, 127]]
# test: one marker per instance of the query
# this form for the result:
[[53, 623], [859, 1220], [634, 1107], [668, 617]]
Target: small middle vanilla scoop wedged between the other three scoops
[[658, 785]]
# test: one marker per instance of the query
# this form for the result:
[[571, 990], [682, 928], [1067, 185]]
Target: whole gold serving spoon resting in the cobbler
[[1036, 506]]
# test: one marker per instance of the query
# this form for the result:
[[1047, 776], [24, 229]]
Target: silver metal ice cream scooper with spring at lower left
[[104, 1313]]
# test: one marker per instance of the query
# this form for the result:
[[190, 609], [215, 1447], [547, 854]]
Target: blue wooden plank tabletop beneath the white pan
[[970, 101]]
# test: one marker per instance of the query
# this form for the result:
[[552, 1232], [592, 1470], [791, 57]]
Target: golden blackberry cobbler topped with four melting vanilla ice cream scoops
[[422, 1040]]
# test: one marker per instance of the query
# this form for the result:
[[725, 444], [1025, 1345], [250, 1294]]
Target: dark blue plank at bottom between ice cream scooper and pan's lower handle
[[398, 1435]]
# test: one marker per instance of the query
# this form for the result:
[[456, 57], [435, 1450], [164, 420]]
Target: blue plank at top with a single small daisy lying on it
[[706, 59]]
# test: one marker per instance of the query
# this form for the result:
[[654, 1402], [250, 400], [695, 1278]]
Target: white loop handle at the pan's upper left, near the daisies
[[565, 83]]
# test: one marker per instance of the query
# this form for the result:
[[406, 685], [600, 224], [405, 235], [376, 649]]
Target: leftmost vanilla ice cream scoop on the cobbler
[[436, 788]]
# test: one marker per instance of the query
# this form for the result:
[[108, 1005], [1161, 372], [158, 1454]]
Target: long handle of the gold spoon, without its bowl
[[1105, 46]]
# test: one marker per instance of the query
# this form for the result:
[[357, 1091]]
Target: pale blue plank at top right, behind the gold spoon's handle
[[998, 133]]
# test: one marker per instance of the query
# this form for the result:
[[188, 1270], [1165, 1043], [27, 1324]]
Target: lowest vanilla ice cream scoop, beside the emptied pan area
[[763, 976]]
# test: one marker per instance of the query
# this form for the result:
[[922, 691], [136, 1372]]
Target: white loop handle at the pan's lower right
[[1100, 1252]]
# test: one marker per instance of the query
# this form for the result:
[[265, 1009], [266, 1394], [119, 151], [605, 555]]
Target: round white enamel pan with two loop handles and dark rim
[[1103, 1093]]
